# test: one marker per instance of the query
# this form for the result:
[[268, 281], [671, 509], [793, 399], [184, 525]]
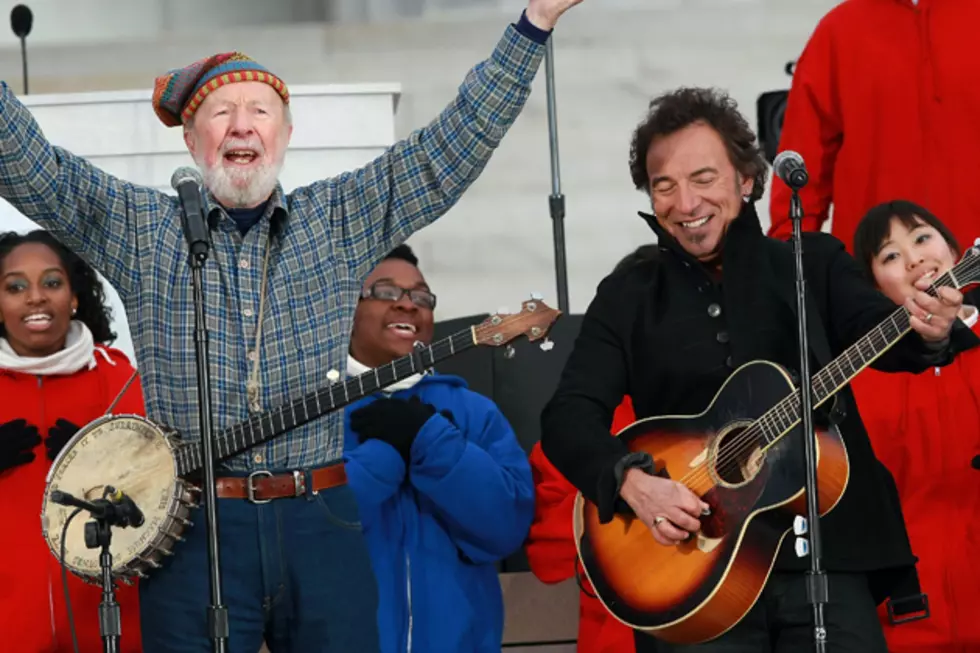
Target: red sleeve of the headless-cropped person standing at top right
[[812, 127]]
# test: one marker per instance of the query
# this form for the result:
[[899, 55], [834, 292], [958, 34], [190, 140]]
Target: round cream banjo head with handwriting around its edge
[[133, 455]]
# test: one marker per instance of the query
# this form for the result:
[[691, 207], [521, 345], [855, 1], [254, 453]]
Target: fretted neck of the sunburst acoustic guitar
[[785, 415]]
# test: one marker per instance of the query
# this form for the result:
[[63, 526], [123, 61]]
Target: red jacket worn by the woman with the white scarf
[[33, 615]]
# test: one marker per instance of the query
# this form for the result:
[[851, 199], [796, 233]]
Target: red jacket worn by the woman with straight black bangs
[[926, 429]]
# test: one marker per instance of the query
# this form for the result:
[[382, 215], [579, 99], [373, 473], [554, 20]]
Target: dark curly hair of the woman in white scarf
[[85, 284]]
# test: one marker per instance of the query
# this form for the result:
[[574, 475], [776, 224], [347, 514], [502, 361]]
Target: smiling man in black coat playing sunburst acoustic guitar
[[669, 333]]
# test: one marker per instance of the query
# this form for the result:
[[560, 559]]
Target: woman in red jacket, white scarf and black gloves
[[56, 375]]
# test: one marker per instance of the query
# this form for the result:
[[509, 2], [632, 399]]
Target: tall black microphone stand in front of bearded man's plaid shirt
[[217, 612]]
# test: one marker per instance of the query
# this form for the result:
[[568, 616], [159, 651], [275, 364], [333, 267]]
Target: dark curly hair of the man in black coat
[[673, 111]]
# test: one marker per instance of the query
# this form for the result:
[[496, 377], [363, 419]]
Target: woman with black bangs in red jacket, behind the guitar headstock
[[926, 429]]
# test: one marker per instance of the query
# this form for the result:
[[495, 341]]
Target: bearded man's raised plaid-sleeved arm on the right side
[[420, 178]]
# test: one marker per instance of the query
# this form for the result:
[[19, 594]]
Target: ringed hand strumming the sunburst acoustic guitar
[[668, 508]]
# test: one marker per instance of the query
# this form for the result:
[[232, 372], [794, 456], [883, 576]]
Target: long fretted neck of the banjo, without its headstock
[[269, 424]]
